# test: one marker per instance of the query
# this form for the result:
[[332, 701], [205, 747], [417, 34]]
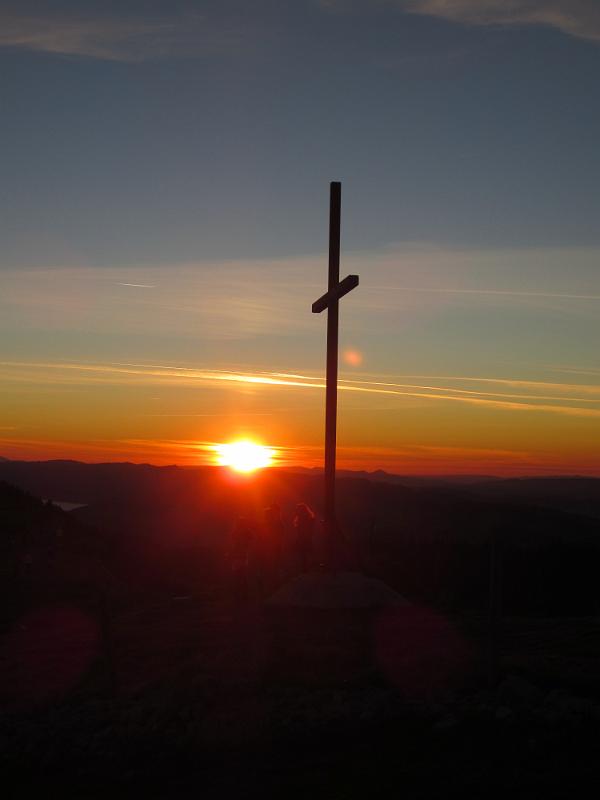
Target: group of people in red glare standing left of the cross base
[[261, 555]]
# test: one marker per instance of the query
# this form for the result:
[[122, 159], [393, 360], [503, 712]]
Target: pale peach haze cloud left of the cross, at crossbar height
[[210, 301]]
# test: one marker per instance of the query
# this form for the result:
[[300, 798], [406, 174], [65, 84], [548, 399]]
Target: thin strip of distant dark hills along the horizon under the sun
[[111, 486]]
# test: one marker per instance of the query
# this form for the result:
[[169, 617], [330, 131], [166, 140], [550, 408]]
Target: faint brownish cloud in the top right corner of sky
[[579, 18]]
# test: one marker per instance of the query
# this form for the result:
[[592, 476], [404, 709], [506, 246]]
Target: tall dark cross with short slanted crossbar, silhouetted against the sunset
[[336, 289]]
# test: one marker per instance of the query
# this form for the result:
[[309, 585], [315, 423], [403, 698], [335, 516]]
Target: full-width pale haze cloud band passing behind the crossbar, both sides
[[245, 299]]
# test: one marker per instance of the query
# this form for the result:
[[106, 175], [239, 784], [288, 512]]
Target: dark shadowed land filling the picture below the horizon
[[122, 681]]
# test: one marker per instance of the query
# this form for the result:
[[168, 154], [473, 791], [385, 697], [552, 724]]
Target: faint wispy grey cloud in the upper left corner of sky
[[117, 38]]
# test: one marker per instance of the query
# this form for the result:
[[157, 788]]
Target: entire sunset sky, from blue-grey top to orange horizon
[[163, 217]]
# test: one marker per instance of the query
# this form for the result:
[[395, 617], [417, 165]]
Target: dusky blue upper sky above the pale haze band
[[215, 136]]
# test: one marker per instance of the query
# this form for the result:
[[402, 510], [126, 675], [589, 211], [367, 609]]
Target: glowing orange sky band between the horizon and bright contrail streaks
[[165, 414]]
